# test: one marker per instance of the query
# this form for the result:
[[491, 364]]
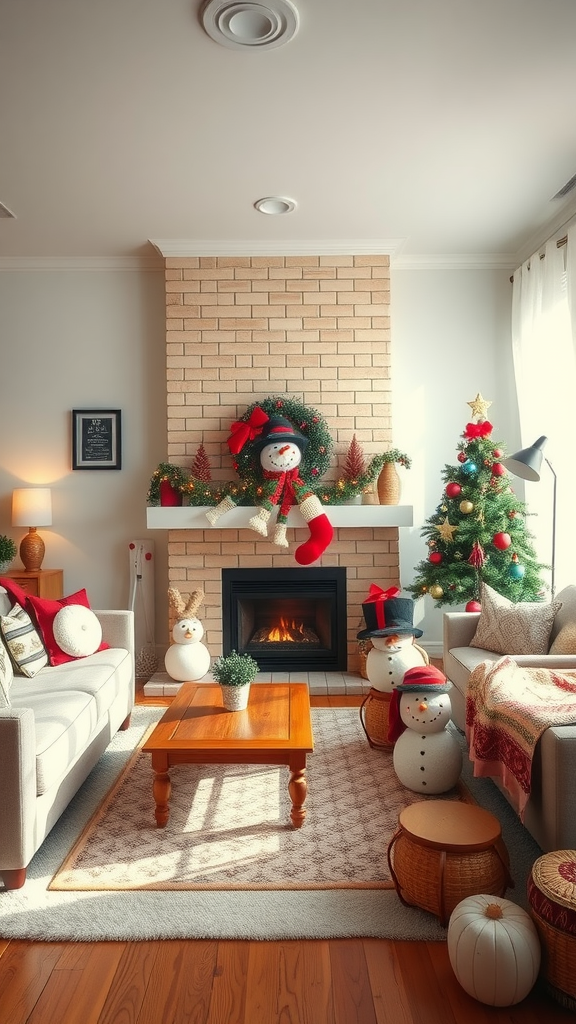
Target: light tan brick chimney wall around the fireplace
[[239, 329]]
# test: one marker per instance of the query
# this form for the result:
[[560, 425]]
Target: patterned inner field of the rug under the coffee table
[[230, 826]]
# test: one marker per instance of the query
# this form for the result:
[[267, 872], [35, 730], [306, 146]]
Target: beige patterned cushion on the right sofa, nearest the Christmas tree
[[507, 628]]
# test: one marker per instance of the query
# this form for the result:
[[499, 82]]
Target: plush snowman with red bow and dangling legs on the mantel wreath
[[280, 450]]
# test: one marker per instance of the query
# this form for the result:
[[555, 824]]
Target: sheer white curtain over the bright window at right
[[545, 361]]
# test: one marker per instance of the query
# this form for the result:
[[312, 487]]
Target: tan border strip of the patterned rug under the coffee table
[[59, 882]]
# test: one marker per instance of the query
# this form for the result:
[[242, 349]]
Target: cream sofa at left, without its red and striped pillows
[[59, 724]]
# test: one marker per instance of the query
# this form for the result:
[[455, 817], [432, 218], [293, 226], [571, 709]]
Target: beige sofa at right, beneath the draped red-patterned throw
[[551, 813]]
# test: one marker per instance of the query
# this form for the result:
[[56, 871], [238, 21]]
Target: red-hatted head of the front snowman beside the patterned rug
[[421, 703]]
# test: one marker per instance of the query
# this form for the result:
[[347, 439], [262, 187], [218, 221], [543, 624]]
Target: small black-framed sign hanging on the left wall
[[97, 439]]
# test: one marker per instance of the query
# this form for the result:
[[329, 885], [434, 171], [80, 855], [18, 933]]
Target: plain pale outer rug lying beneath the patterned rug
[[40, 914]]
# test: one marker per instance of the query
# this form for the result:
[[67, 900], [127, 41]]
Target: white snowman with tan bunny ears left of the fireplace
[[188, 659]]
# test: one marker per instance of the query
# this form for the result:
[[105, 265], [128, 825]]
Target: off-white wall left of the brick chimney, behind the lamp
[[85, 339]]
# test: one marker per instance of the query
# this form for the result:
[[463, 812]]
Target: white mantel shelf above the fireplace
[[194, 517]]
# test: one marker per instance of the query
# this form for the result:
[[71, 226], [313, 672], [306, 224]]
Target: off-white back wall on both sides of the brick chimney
[[96, 338]]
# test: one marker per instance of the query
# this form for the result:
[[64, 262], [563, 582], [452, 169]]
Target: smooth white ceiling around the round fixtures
[[431, 129]]
